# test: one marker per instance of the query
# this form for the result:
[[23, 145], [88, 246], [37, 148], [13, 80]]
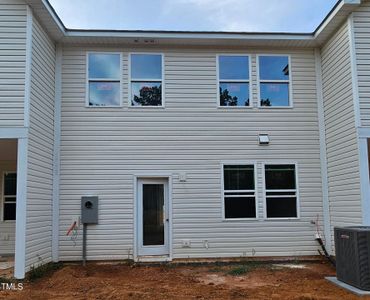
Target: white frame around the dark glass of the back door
[[153, 176]]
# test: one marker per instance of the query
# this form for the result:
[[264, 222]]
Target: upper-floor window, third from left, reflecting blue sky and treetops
[[233, 74]]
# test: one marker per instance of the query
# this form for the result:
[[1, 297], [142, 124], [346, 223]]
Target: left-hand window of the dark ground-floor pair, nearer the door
[[239, 191]]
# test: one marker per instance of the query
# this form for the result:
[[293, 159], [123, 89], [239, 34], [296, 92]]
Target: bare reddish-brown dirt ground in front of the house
[[303, 281]]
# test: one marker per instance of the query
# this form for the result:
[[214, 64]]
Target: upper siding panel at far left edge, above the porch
[[13, 15]]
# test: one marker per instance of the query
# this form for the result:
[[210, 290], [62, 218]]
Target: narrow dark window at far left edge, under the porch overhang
[[9, 196]]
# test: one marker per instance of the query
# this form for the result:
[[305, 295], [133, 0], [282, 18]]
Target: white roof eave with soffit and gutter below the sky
[[60, 33]]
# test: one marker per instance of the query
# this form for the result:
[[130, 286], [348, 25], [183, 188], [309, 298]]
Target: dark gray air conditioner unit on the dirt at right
[[352, 249]]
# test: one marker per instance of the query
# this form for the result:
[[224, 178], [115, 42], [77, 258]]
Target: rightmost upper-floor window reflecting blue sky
[[274, 81]]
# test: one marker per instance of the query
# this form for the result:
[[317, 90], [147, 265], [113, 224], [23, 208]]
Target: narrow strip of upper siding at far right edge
[[361, 20]]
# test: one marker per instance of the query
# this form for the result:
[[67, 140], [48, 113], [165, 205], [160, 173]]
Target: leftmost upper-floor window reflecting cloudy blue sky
[[104, 79]]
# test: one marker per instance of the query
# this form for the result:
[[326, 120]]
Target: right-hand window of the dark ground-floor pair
[[281, 191]]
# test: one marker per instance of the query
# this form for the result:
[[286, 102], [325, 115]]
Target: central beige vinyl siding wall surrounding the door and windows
[[101, 150]]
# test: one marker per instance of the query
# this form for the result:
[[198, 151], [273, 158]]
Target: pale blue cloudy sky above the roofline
[[194, 15]]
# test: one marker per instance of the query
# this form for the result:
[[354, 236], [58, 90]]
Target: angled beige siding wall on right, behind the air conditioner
[[341, 137]]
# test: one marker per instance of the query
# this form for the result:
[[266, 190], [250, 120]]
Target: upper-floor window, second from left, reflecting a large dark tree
[[146, 80]]
